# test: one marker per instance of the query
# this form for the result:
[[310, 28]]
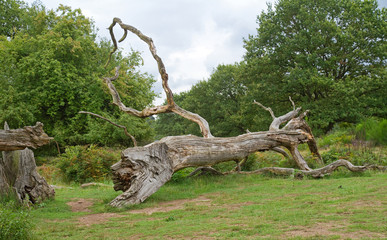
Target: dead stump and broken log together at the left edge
[[18, 173]]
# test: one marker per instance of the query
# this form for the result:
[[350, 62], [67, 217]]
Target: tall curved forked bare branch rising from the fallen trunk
[[171, 105]]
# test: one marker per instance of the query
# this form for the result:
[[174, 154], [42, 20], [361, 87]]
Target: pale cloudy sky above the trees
[[191, 36]]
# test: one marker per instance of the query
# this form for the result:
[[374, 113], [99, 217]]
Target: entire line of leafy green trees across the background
[[328, 56]]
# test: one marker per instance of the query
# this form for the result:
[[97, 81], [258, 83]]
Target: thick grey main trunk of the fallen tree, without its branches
[[143, 170]]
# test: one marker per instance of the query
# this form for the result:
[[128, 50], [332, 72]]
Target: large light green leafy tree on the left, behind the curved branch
[[51, 70]]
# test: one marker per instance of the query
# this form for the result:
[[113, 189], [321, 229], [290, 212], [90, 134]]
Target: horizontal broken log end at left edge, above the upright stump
[[29, 136]]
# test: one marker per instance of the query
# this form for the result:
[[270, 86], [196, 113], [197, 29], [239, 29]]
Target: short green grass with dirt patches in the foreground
[[343, 206]]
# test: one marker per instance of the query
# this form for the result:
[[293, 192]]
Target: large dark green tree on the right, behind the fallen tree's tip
[[330, 56]]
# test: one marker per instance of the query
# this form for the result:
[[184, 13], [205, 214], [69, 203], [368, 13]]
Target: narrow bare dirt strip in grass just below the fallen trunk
[[173, 205]]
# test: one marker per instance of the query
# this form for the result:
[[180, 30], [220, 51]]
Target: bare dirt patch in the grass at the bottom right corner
[[330, 229]]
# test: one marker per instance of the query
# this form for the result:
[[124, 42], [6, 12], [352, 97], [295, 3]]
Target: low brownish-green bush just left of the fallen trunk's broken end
[[86, 163]]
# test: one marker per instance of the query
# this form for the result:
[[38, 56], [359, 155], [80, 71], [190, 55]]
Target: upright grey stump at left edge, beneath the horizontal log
[[18, 175]]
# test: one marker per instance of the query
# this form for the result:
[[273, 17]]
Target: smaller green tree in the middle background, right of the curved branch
[[217, 100]]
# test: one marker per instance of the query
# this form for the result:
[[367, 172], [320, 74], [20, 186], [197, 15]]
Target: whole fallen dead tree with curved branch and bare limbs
[[143, 170]]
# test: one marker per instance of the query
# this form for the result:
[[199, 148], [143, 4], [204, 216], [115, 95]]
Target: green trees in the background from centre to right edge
[[329, 56]]
